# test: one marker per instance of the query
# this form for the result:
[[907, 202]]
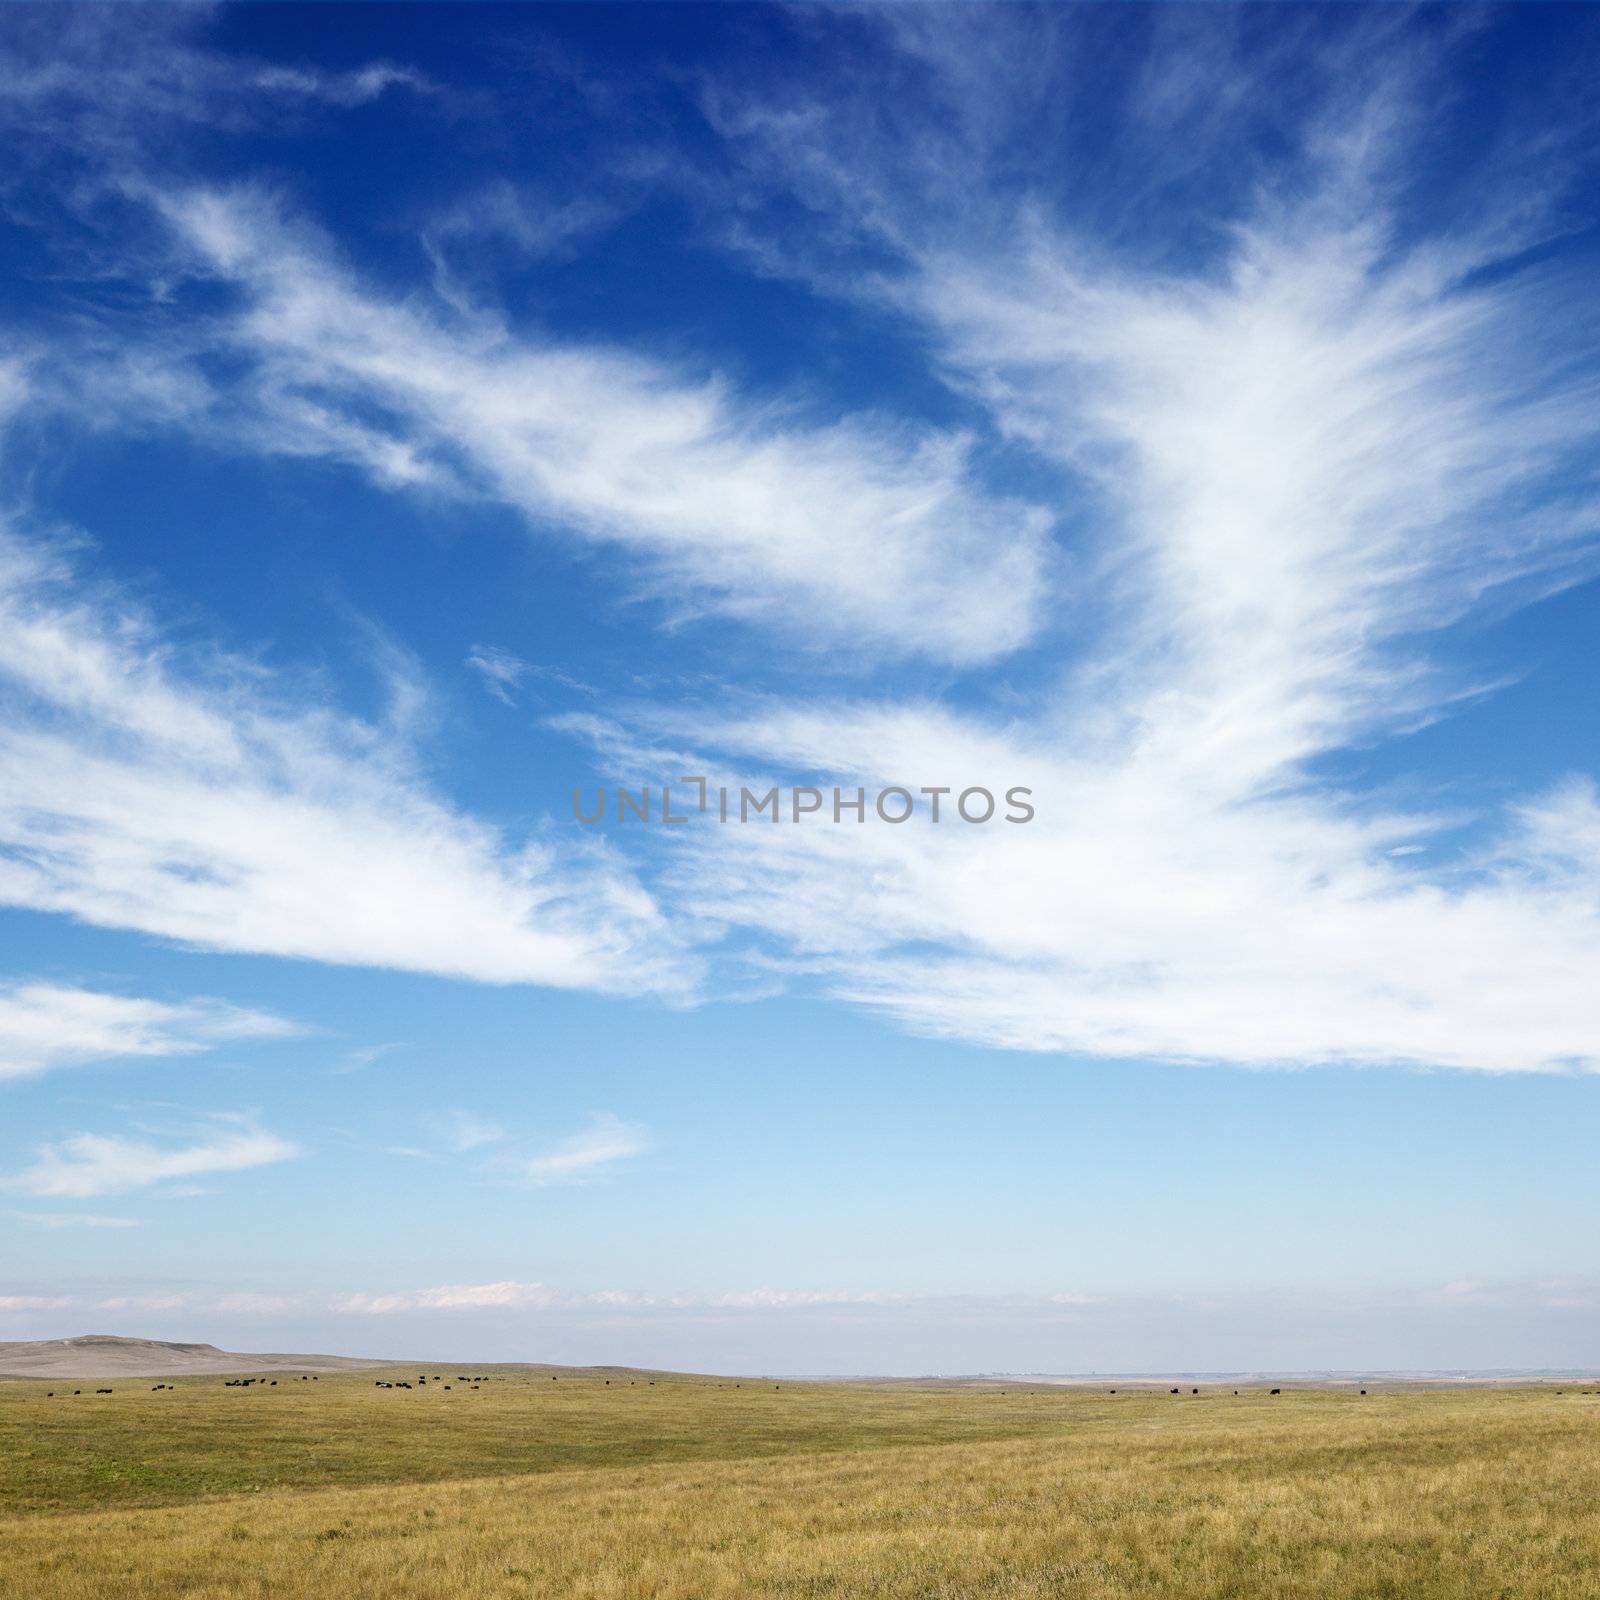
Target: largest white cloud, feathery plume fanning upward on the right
[[1305, 460]]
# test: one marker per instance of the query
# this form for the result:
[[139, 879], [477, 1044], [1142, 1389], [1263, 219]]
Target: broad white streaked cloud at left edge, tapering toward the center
[[199, 801]]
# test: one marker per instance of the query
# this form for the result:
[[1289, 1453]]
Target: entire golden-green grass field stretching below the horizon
[[697, 1490]]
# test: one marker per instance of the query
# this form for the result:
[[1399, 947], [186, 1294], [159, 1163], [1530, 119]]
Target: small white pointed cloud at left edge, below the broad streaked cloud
[[46, 1026]]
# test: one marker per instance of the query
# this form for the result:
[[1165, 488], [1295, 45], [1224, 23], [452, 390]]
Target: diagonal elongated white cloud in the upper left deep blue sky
[[857, 532]]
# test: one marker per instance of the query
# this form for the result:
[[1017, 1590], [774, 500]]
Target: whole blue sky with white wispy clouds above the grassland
[[414, 415]]
